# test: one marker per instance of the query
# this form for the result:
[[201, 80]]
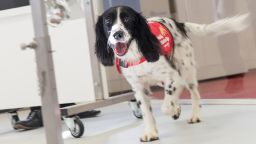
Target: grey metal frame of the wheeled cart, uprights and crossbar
[[46, 74]]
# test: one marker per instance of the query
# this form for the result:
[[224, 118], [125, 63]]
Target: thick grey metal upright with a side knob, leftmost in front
[[46, 75]]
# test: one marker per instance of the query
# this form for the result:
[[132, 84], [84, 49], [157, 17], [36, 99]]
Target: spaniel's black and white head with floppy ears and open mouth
[[116, 28]]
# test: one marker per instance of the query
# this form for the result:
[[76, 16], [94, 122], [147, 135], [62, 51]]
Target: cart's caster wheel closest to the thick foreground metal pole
[[75, 126]]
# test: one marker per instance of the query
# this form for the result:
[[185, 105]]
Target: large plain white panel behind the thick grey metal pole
[[18, 79]]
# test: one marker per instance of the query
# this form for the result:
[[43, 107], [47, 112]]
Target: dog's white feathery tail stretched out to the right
[[220, 27]]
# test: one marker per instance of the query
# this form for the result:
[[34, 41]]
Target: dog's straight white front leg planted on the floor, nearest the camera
[[150, 133]]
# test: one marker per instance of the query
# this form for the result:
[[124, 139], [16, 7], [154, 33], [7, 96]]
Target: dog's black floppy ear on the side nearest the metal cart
[[103, 52]]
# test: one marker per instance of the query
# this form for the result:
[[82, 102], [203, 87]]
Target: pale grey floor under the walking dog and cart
[[222, 124]]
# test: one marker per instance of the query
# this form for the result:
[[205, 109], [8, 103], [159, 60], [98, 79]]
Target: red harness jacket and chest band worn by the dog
[[165, 38]]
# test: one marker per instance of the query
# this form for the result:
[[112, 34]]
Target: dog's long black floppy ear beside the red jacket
[[147, 42]]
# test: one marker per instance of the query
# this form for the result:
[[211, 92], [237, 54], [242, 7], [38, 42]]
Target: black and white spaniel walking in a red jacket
[[124, 38]]
